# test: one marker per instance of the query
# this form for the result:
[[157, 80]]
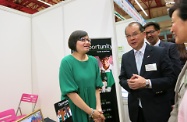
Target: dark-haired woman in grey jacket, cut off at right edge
[[178, 14]]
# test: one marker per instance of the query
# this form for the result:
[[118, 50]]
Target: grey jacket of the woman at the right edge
[[180, 89]]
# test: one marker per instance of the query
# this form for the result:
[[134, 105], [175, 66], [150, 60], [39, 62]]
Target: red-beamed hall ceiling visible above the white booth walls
[[153, 8]]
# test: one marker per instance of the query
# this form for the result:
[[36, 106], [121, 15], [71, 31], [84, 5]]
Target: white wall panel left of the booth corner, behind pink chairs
[[15, 53]]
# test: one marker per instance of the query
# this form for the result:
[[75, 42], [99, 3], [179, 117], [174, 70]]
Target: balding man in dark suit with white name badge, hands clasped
[[147, 86]]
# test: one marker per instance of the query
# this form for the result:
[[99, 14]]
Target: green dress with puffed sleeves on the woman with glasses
[[82, 77]]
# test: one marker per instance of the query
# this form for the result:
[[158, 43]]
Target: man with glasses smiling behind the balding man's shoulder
[[152, 30]]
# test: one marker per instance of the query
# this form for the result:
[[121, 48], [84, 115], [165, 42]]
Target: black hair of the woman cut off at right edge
[[182, 7]]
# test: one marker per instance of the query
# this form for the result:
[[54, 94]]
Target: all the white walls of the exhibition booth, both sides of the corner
[[32, 46]]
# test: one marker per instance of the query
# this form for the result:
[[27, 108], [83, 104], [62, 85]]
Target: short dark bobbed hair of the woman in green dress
[[74, 37]]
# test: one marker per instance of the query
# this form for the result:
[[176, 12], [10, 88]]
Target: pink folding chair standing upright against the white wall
[[29, 98]]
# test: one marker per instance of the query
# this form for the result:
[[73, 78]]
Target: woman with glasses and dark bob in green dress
[[80, 80]]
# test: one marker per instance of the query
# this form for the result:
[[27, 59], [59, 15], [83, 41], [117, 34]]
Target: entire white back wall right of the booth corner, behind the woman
[[51, 30]]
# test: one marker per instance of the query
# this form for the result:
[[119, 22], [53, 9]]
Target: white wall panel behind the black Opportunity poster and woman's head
[[97, 18]]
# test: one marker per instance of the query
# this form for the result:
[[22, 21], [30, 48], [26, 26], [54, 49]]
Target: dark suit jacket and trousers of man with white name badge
[[155, 101]]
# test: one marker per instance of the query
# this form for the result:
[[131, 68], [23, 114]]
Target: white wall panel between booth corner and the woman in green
[[47, 51]]
